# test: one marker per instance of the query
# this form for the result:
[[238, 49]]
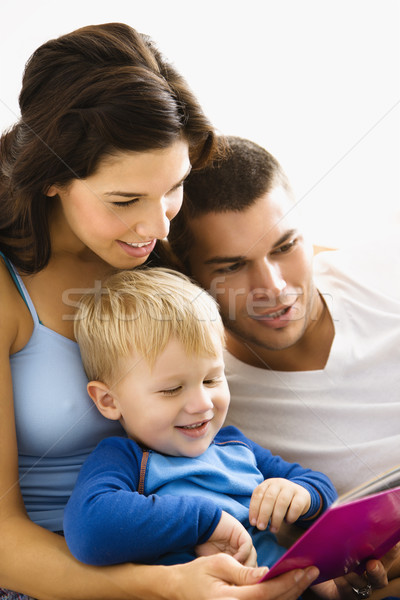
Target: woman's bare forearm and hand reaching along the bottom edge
[[42, 567]]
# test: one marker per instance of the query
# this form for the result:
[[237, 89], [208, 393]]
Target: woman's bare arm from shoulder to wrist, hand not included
[[33, 560]]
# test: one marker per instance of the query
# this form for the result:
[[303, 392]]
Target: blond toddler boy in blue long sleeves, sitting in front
[[179, 485]]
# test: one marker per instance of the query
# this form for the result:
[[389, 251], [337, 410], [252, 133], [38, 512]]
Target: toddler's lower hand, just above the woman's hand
[[230, 537]]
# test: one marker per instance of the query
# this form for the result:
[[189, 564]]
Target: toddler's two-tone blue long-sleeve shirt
[[136, 505]]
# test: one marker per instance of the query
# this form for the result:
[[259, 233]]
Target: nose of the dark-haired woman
[[156, 219]]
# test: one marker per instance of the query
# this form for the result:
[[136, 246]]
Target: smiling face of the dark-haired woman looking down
[[119, 212]]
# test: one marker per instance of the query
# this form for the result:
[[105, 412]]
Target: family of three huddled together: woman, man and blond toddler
[[118, 476]]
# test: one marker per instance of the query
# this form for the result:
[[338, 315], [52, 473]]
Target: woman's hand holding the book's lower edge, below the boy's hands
[[221, 577]]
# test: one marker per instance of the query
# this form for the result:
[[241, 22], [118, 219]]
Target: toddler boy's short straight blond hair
[[140, 311]]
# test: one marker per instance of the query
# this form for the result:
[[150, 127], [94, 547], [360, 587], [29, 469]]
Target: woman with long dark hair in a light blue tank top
[[90, 178]]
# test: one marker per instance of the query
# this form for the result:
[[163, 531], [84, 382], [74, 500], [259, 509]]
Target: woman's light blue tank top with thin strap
[[57, 423]]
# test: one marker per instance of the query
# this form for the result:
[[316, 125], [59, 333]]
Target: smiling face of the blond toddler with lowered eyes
[[179, 405]]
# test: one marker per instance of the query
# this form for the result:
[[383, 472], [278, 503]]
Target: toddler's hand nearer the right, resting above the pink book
[[277, 499]]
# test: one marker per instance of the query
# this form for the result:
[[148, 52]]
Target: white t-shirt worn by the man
[[343, 420]]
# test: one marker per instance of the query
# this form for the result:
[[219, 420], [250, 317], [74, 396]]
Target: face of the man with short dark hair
[[257, 266]]
